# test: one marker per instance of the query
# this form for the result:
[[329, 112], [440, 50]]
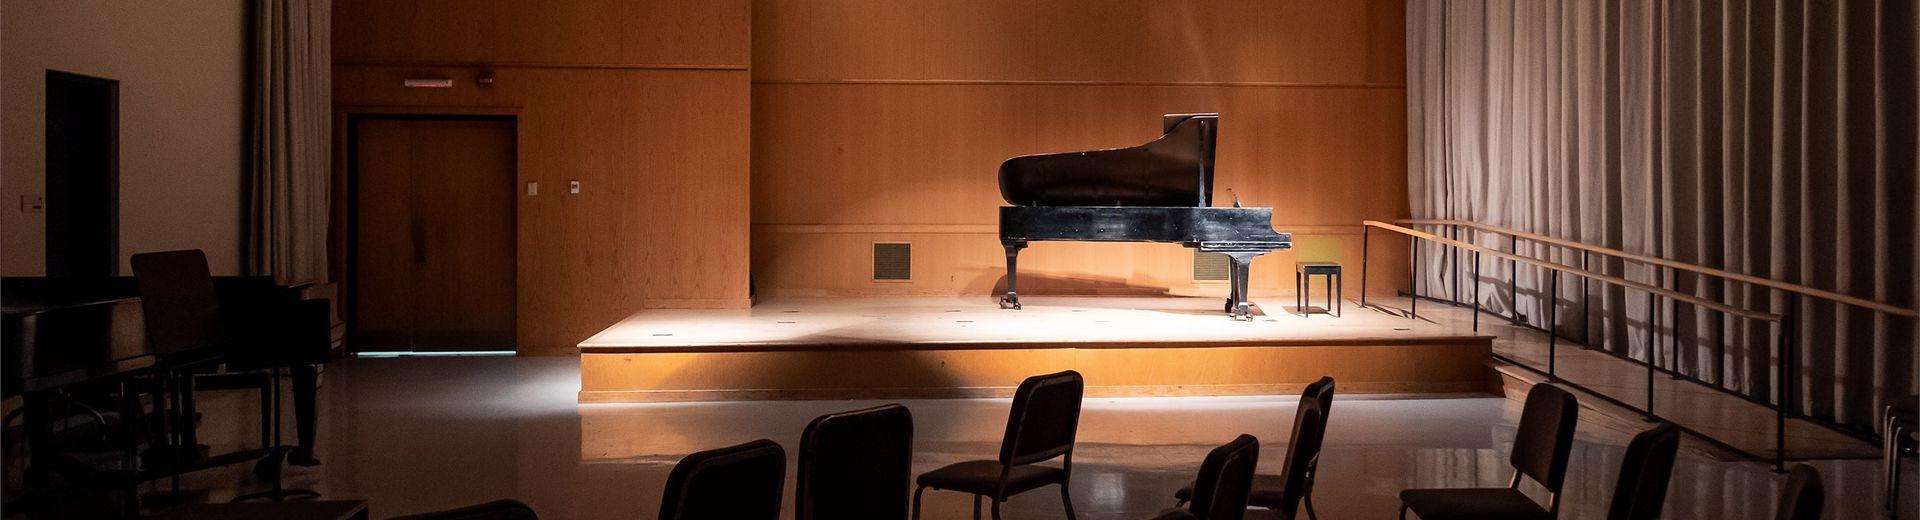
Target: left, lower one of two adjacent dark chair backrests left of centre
[[742, 483]]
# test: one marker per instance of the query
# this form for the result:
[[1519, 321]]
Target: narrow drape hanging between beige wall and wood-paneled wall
[[289, 135]]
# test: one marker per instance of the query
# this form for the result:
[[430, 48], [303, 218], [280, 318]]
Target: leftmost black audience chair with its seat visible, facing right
[[1038, 429]]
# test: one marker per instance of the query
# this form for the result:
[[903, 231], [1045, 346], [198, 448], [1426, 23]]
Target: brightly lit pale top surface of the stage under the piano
[[1045, 321]]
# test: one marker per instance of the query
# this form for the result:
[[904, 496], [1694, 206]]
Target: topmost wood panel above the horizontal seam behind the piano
[[1241, 41]]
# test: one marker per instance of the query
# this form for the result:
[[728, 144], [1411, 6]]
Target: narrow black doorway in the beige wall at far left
[[82, 176]]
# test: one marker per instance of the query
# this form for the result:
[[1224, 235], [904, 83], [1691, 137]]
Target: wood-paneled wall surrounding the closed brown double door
[[646, 103]]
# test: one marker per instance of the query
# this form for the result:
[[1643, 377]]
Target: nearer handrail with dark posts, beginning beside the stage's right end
[[1783, 327]]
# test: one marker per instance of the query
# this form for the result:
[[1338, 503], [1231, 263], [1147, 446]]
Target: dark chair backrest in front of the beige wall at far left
[[178, 300]]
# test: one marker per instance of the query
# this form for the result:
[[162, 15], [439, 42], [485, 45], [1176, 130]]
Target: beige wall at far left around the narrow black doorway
[[181, 70]]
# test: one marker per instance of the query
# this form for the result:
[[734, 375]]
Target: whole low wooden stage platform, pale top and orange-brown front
[[903, 348]]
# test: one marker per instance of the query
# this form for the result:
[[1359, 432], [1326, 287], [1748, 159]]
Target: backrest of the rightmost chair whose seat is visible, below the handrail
[[1545, 442]]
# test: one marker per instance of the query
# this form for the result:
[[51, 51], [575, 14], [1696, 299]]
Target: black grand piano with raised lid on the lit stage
[[1153, 193]]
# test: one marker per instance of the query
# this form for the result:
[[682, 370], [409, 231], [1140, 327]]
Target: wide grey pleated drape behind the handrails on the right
[[1767, 137]]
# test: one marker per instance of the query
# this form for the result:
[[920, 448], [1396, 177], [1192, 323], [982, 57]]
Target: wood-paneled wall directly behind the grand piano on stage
[[886, 122]]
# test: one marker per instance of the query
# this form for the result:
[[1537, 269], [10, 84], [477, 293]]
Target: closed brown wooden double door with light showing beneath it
[[431, 239]]
